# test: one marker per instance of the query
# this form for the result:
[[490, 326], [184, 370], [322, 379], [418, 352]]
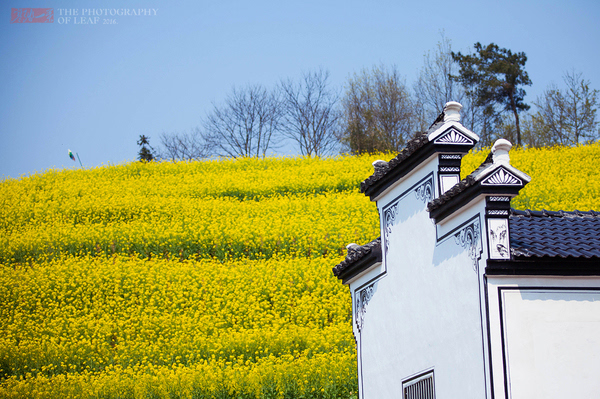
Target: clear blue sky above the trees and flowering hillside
[[95, 88]]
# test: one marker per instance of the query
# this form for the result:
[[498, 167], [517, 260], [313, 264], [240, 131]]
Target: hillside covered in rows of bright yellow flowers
[[203, 279]]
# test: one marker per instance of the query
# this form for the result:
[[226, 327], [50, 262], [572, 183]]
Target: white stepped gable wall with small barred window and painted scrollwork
[[424, 310]]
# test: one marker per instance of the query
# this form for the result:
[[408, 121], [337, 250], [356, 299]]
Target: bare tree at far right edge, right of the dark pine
[[568, 116]]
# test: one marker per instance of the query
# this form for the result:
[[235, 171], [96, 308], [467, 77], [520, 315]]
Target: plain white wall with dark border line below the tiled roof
[[545, 336]]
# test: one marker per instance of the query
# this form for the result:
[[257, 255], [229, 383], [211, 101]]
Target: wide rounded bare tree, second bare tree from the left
[[245, 124]]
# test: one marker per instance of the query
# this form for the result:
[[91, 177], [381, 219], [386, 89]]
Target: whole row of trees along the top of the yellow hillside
[[377, 111]]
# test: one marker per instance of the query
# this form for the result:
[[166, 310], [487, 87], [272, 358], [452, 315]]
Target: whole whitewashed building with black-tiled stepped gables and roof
[[464, 297]]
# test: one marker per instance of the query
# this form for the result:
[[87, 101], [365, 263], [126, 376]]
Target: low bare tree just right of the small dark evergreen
[[186, 145]]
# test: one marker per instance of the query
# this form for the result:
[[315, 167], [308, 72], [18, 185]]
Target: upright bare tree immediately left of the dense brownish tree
[[310, 116]]
